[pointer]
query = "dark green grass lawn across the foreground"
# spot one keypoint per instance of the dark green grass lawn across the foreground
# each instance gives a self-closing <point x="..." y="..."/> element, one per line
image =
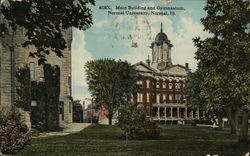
<point x="176" y="140"/>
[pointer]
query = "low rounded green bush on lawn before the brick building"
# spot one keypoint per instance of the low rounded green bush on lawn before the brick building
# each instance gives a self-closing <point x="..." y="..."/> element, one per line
<point x="135" y="124"/>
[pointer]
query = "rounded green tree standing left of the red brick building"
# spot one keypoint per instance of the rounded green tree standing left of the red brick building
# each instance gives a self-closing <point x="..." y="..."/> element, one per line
<point x="111" y="83"/>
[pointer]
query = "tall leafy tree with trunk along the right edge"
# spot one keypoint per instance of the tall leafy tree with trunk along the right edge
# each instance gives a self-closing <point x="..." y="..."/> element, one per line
<point x="224" y="58"/>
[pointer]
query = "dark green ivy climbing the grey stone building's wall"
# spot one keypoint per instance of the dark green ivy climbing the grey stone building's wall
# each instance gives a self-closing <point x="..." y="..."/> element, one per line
<point x="45" y="116"/>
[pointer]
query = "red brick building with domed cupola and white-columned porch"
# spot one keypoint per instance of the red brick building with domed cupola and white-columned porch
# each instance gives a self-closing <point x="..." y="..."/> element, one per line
<point x="163" y="95"/>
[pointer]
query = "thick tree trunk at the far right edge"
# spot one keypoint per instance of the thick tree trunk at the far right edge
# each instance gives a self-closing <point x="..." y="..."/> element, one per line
<point x="243" y="134"/>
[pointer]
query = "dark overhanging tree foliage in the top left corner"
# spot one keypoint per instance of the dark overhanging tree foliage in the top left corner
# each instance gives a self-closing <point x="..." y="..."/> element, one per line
<point x="45" y="22"/>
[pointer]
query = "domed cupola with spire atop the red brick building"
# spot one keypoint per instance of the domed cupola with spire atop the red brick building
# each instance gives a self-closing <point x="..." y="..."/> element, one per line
<point x="161" y="51"/>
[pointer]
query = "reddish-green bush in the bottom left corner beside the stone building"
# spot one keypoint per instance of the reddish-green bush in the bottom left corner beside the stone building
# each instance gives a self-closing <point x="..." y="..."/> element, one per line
<point x="11" y="138"/>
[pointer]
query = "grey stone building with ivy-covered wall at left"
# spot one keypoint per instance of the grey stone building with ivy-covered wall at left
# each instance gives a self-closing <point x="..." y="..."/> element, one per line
<point x="13" y="56"/>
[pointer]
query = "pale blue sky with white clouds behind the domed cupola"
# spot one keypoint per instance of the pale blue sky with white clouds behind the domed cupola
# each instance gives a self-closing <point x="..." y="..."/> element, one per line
<point x="113" y="36"/>
